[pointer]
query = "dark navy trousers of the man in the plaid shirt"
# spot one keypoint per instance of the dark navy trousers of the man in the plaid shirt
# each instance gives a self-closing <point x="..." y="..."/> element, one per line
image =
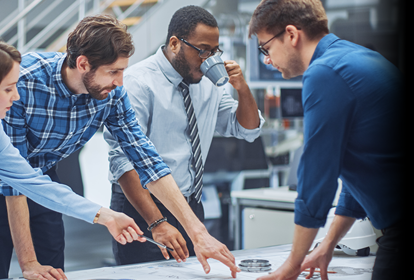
<point x="47" y="231"/>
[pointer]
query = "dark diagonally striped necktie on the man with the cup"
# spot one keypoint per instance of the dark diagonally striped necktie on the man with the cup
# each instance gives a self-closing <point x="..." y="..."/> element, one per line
<point x="195" y="141"/>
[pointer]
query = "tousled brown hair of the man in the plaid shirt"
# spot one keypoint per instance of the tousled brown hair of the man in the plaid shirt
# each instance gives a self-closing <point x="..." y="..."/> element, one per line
<point x="102" y="39"/>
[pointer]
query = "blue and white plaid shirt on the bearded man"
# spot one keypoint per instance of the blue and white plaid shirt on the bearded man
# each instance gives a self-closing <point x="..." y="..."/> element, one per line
<point x="49" y="123"/>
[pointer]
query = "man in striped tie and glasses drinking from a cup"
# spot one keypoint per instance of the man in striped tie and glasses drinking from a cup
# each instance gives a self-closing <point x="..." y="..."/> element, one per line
<point x="179" y="110"/>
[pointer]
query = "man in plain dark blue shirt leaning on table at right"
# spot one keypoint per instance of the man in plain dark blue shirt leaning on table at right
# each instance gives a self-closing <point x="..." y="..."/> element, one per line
<point x="352" y="101"/>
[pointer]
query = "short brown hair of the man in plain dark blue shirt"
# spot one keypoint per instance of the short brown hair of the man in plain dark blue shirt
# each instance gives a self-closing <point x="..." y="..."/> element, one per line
<point x="274" y="15"/>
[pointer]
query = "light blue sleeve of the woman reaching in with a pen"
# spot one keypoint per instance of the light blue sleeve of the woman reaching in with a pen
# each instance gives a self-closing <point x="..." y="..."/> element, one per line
<point x="16" y="172"/>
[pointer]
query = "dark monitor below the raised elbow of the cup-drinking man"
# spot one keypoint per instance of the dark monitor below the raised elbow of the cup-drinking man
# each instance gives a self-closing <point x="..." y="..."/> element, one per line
<point x="231" y="155"/>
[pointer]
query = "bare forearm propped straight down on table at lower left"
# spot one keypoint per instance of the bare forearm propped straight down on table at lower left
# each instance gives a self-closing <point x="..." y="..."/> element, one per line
<point x="19" y="222"/>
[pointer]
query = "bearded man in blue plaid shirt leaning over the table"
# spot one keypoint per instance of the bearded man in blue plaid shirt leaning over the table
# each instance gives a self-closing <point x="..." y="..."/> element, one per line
<point x="65" y="99"/>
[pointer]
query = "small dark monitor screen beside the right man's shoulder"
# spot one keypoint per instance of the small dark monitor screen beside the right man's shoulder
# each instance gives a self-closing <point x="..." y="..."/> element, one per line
<point x="291" y="103"/>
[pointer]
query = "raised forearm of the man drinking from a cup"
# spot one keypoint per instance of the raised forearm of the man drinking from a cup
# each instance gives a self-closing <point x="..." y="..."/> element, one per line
<point x="247" y="111"/>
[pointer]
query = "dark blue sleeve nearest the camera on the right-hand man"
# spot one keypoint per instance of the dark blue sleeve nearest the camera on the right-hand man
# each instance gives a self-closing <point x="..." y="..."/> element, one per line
<point x="328" y="112"/>
